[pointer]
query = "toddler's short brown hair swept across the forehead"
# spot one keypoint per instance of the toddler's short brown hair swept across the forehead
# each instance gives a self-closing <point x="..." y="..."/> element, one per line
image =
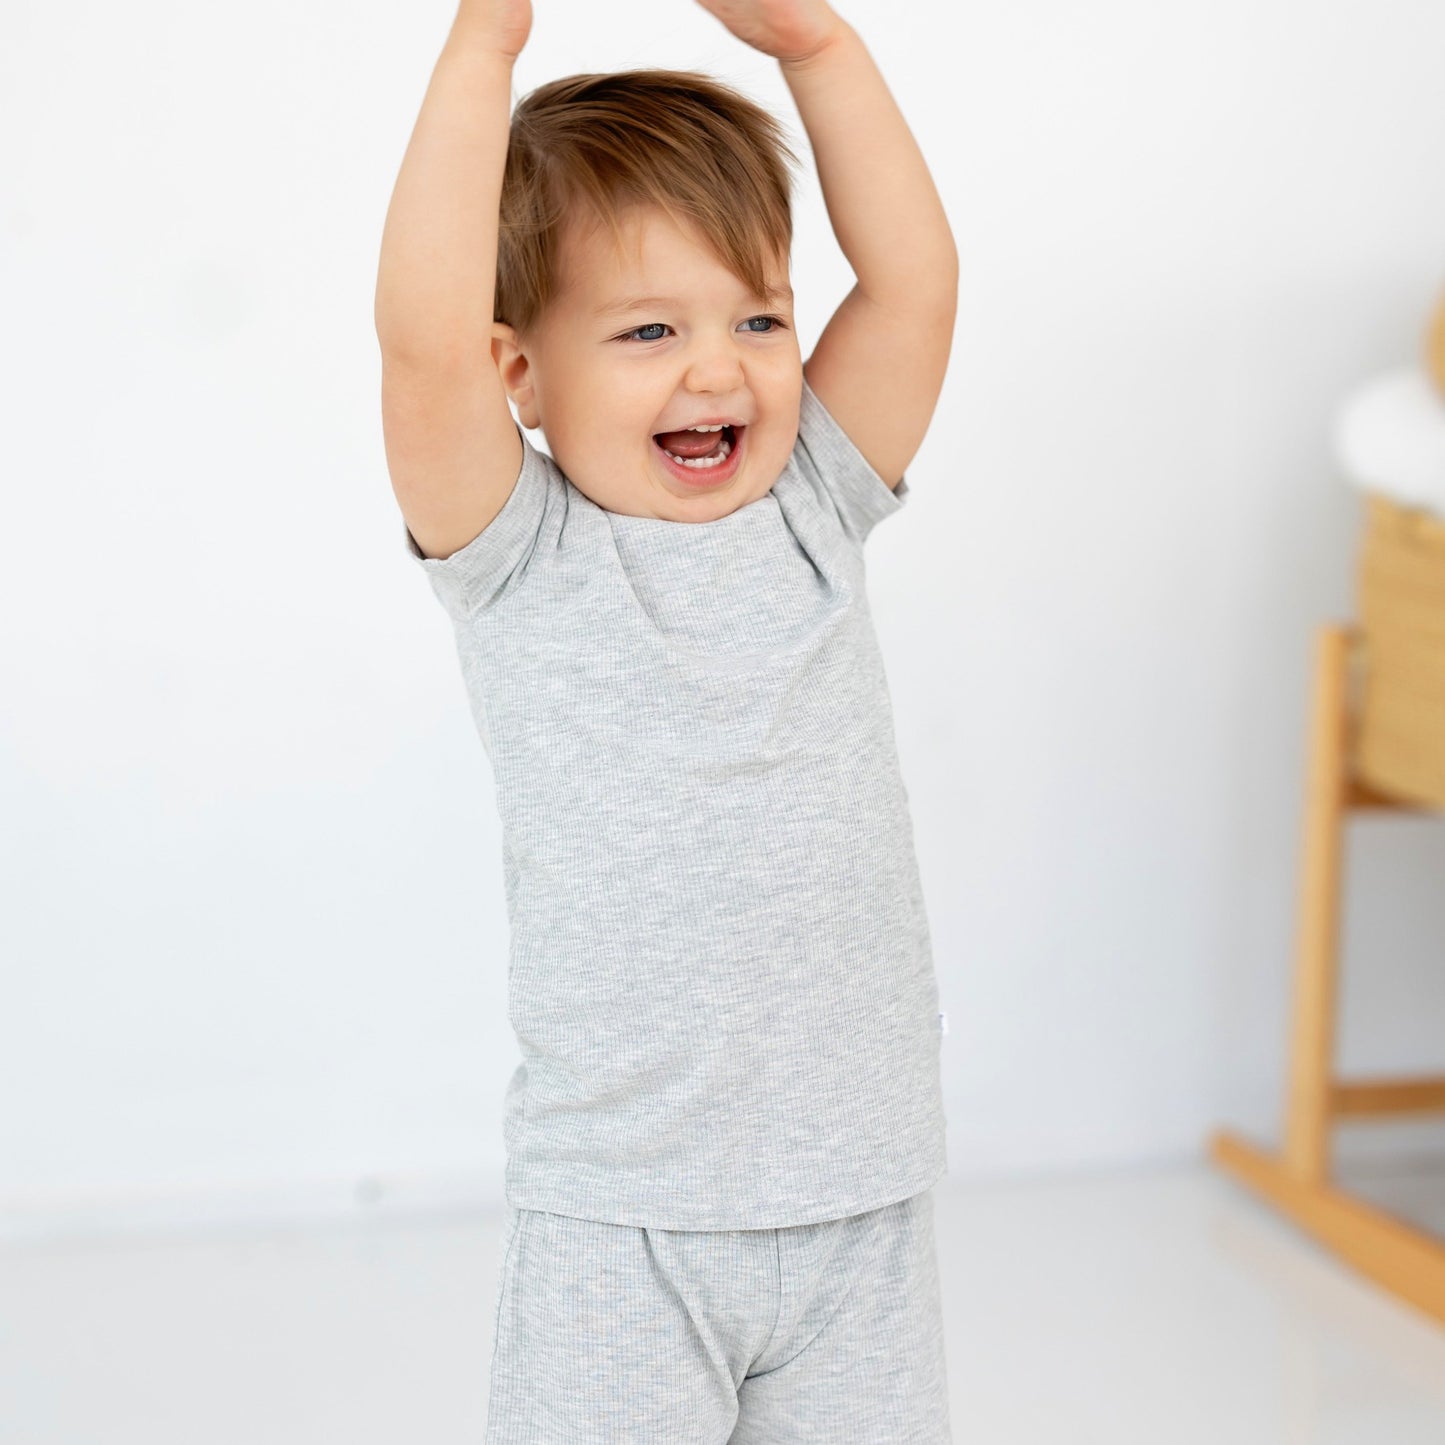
<point x="674" y="139"/>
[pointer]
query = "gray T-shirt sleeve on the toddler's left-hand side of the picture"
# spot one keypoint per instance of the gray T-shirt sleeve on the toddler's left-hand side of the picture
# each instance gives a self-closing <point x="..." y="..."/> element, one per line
<point x="496" y="563"/>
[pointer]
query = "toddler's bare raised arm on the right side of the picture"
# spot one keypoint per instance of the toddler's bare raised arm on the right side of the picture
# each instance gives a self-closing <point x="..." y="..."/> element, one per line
<point x="881" y="362"/>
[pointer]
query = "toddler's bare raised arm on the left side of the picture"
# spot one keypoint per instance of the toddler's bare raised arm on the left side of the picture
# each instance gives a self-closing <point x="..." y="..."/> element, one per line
<point x="452" y="446"/>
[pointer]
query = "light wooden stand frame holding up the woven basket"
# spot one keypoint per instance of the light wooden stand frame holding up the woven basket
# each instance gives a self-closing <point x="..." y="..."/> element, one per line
<point x="1298" y="1181"/>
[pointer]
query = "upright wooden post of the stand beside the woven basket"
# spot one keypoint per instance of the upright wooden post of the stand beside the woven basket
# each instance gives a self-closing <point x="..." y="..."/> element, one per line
<point x="1317" y="960"/>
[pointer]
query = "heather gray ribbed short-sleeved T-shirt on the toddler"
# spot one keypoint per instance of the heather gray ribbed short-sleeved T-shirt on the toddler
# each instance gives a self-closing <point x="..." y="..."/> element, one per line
<point x="720" y="967"/>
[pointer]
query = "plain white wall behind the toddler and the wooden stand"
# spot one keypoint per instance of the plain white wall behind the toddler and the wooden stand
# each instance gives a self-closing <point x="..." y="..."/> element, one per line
<point x="252" y="924"/>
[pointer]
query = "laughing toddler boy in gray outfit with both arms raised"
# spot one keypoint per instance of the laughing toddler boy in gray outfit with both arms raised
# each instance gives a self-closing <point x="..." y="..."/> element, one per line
<point x="728" y="1122"/>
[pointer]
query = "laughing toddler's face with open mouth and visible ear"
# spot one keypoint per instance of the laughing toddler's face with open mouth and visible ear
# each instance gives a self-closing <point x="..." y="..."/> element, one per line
<point x="645" y="342"/>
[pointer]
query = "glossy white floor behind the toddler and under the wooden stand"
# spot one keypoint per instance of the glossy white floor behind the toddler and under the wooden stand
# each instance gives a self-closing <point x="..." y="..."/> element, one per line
<point x="1164" y="1308"/>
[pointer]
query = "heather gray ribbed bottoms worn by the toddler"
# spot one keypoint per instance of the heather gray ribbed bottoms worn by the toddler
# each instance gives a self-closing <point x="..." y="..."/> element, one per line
<point x="616" y="1334"/>
